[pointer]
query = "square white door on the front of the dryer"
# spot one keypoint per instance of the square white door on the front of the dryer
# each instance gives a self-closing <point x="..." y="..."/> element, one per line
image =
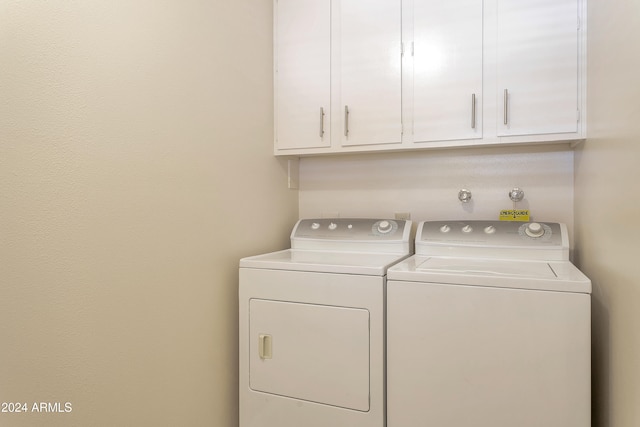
<point x="311" y="352"/>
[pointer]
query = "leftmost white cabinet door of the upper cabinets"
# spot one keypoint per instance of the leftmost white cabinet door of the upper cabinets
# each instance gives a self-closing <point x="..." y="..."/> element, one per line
<point x="302" y="73"/>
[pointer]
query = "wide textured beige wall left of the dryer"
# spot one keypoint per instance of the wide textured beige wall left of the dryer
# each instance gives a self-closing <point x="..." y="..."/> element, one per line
<point x="135" y="170"/>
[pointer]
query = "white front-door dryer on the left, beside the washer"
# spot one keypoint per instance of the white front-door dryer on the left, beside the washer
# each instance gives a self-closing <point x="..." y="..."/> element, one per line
<point x="312" y="325"/>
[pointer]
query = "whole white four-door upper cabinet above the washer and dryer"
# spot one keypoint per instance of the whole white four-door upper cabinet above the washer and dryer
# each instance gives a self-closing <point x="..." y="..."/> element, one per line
<point x="365" y="75"/>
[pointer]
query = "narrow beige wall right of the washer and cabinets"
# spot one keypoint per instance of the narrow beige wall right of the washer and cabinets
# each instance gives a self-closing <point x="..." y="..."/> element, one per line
<point x="607" y="209"/>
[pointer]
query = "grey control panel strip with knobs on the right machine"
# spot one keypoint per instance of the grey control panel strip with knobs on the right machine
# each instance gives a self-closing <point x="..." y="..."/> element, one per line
<point x="491" y="233"/>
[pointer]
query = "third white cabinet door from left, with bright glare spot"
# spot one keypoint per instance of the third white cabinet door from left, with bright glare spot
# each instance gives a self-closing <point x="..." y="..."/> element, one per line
<point x="447" y="67"/>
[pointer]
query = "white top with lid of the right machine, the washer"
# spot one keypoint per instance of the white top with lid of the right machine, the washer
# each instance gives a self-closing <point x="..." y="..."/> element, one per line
<point x="561" y="276"/>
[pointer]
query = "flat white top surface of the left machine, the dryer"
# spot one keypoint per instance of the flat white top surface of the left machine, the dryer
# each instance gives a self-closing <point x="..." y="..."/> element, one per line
<point x="370" y="264"/>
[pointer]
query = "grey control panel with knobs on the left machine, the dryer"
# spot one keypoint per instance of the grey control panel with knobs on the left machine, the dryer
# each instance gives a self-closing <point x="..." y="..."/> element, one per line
<point x="350" y="229"/>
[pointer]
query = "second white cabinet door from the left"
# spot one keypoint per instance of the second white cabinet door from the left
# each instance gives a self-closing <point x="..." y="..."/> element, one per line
<point x="370" y="72"/>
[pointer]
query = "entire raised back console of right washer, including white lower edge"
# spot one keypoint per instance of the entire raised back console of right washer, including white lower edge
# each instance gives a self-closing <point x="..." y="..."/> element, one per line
<point x="493" y="239"/>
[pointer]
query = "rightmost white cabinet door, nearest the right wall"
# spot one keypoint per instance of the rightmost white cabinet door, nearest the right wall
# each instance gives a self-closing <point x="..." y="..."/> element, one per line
<point x="537" y="64"/>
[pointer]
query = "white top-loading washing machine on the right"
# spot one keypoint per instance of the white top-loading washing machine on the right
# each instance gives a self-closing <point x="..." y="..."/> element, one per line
<point x="488" y="325"/>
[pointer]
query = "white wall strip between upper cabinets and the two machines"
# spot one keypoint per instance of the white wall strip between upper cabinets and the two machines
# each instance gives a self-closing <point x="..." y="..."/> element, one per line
<point x="426" y="183"/>
